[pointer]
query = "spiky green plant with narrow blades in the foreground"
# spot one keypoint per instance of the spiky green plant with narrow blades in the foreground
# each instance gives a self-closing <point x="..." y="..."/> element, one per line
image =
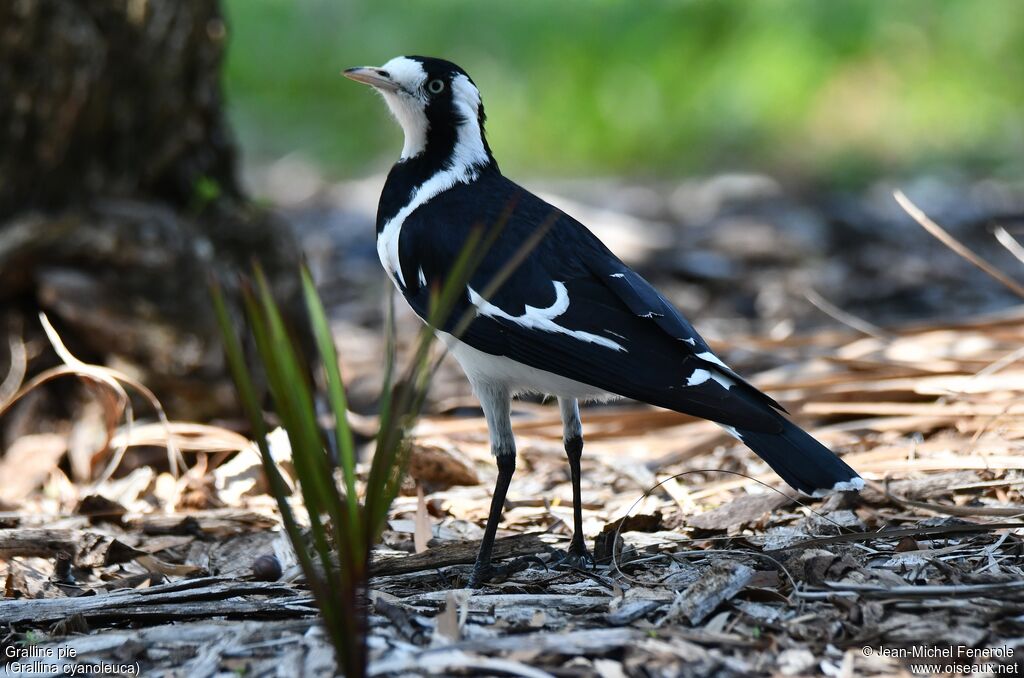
<point x="343" y="529"/>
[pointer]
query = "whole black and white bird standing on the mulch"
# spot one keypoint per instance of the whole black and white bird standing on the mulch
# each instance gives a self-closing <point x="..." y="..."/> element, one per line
<point x="571" y="320"/>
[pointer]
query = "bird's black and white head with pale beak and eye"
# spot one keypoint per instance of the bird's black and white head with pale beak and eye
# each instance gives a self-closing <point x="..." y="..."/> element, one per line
<point x="438" y="106"/>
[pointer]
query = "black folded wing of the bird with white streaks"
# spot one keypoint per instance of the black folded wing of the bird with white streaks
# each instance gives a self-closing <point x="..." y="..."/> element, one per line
<point x="571" y="308"/>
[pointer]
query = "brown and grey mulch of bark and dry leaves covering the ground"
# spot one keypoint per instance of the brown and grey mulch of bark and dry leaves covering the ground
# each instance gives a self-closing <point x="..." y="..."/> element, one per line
<point x="701" y="570"/>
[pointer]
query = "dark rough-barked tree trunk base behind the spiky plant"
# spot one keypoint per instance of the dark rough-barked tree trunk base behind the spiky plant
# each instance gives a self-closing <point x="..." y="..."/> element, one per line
<point x="118" y="187"/>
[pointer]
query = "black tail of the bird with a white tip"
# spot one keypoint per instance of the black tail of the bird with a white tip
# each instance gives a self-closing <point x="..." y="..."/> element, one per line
<point x="803" y="462"/>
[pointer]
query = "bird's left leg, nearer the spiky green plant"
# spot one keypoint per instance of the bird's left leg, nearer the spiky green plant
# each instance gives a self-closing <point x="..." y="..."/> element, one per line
<point x="497" y="407"/>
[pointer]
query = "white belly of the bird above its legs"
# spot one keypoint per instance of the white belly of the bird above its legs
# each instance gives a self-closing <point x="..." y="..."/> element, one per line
<point x="497" y="371"/>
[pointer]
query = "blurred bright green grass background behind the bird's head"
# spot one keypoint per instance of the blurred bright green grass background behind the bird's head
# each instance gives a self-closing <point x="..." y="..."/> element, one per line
<point x="835" y="91"/>
